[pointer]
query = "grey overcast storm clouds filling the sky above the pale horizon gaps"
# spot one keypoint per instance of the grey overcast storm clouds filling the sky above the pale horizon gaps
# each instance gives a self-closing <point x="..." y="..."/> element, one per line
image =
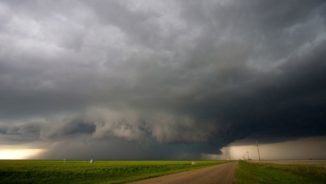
<point x="172" y="79"/>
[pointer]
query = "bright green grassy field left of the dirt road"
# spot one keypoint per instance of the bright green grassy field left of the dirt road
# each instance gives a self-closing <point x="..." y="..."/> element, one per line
<point x="28" y="171"/>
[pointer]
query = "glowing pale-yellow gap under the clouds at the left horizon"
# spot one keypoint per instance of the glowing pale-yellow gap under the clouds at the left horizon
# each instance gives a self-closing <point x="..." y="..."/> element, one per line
<point x="13" y="154"/>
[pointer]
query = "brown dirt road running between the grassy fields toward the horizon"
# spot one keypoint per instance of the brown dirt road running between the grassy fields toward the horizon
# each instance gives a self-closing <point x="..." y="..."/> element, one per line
<point x="219" y="174"/>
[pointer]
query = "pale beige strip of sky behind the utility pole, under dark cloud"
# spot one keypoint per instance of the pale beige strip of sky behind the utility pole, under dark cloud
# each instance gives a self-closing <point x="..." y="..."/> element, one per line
<point x="297" y="149"/>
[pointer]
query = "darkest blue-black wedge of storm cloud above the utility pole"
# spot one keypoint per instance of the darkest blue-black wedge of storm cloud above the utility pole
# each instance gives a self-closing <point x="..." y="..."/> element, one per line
<point x="290" y="103"/>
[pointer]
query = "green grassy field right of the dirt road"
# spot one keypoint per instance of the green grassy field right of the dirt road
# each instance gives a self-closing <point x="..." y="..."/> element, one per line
<point x="268" y="173"/>
